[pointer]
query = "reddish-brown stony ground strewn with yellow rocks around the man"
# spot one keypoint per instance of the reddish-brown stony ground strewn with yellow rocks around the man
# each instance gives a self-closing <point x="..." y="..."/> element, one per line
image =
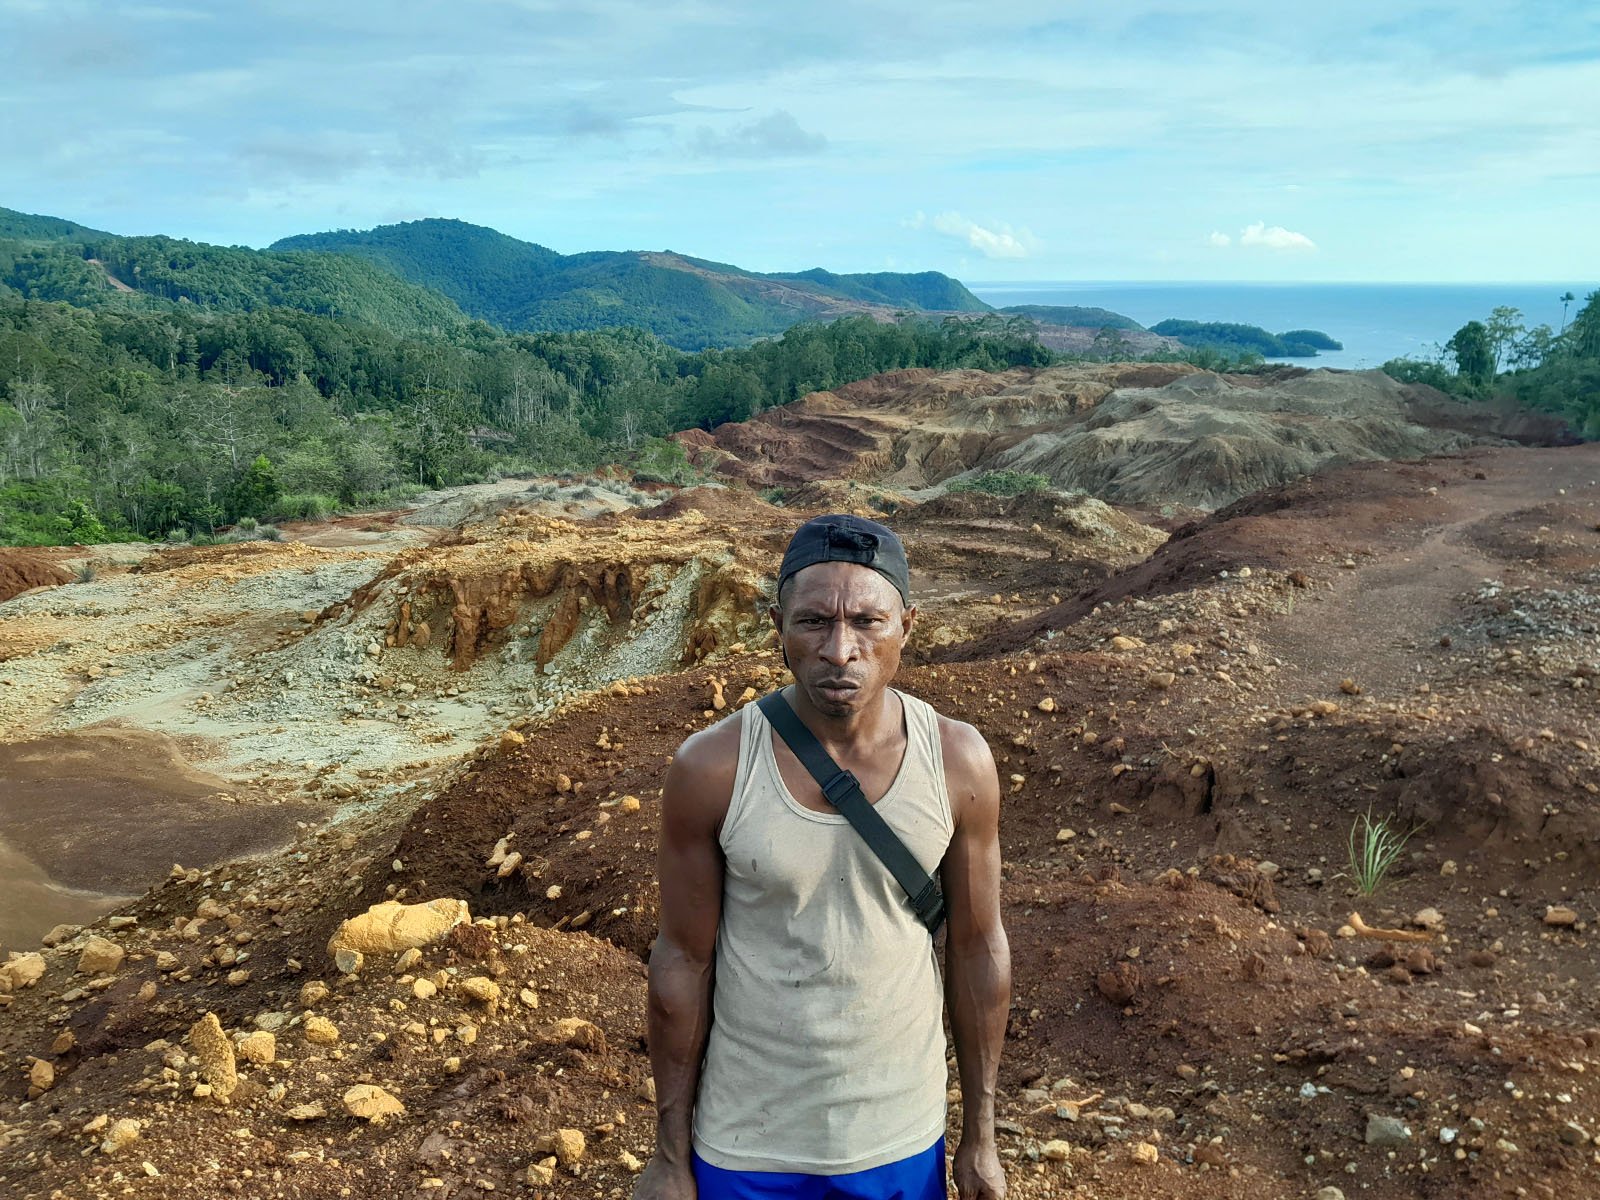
<point x="1186" y="732"/>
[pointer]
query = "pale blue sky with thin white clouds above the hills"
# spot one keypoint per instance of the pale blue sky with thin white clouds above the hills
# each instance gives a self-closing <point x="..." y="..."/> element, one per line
<point x="994" y="142"/>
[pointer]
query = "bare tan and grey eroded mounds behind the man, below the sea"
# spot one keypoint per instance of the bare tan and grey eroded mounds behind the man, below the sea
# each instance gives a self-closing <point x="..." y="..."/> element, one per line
<point x="1126" y="433"/>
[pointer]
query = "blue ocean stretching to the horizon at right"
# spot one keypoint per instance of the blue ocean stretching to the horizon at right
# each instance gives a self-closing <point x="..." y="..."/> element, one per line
<point x="1377" y="322"/>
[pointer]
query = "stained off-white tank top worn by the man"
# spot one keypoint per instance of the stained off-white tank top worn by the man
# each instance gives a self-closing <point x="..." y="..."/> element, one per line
<point x="826" y="1050"/>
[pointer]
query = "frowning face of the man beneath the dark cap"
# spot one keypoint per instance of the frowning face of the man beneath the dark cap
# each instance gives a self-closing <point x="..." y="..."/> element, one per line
<point x="842" y="626"/>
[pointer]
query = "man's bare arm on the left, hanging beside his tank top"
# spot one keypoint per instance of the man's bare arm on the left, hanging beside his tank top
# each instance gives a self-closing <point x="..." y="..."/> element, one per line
<point x="690" y="870"/>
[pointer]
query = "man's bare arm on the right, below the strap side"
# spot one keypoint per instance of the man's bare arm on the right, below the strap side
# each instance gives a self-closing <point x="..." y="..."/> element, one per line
<point x="977" y="954"/>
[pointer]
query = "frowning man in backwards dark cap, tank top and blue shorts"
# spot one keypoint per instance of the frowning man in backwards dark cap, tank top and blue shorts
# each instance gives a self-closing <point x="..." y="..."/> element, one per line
<point x="796" y="1023"/>
